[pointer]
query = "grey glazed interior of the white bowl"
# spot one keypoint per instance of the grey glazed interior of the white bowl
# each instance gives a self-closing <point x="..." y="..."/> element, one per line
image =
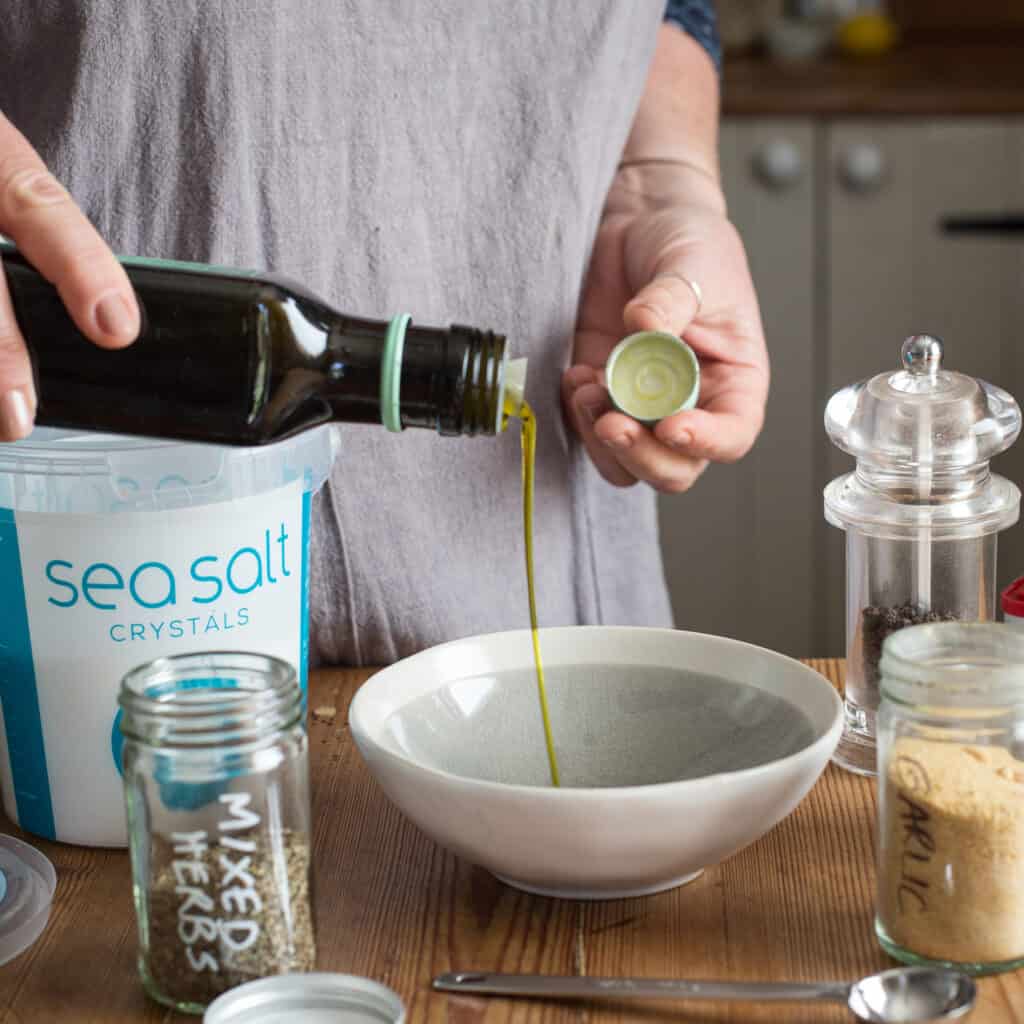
<point x="614" y="726"/>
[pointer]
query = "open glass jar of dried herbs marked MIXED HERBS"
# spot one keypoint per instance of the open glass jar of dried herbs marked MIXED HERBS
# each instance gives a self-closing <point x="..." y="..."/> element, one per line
<point x="216" y="765"/>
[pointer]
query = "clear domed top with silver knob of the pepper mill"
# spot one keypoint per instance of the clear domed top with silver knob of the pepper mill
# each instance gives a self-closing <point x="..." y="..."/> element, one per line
<point x="923" y="416"/>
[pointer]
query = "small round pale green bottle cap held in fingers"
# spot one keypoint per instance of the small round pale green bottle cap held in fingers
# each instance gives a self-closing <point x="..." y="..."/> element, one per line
<point x="653" y="375"/>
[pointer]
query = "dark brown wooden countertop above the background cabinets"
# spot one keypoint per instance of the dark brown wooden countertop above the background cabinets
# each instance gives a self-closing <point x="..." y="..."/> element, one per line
<point x="932" y="79"/>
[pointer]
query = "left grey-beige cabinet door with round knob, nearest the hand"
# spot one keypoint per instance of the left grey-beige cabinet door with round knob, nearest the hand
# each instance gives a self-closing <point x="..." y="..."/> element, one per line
<point x="739" y="551"/>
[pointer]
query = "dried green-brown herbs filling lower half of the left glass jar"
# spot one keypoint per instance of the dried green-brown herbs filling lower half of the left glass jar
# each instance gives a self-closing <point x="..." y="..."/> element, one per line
<point x="229" y="907"/>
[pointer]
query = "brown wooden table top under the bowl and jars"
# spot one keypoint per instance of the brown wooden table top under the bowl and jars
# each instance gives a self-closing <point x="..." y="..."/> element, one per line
<point x="393" y="906"/>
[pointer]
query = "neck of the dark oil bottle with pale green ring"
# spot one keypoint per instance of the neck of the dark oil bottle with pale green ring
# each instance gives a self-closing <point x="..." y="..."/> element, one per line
<point x="402" y="375"/>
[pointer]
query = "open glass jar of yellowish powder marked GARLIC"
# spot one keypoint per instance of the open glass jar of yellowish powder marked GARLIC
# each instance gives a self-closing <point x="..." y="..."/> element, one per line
<point x="952" y="797"/>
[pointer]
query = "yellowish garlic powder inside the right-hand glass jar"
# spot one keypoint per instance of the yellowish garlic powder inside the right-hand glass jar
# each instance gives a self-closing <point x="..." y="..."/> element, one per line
<point x="953" y="866"/>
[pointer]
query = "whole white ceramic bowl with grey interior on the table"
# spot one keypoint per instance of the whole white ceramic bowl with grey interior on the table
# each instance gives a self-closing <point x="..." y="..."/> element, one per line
<point x="677" y="750"/>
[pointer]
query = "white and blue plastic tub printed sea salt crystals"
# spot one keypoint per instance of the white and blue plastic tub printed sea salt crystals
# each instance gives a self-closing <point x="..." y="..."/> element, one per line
<point x="115" y="551"/>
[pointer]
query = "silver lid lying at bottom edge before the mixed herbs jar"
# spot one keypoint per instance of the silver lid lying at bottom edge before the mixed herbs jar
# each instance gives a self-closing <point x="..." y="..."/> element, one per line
<point x="310" y="999"/>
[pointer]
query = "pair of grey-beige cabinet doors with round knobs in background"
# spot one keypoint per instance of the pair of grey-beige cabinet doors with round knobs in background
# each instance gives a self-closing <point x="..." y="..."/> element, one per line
<point x="842" y="224"/>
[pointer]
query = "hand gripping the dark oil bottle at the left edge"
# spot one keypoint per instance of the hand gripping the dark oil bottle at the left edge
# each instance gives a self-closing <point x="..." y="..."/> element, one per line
<point x="40" y="218"/>
